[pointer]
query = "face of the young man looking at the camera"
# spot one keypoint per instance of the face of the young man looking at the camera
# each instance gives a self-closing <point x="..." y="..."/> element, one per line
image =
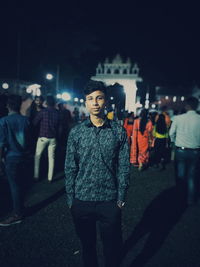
<point x="95" y="103"/>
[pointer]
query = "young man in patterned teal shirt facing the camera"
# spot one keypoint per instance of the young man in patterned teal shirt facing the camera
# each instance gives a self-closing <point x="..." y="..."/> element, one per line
<point x="97" y="176"/>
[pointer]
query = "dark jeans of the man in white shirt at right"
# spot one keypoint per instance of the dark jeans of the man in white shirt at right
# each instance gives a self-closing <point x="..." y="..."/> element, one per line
<point x="187" y="181"/>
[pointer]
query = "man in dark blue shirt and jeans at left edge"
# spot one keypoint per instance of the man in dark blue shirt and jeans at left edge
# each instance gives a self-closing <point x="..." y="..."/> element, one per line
<point x="14" y="145"/>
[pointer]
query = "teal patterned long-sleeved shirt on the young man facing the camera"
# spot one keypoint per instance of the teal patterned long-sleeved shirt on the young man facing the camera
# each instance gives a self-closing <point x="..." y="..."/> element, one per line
<point x="97" y="164"/>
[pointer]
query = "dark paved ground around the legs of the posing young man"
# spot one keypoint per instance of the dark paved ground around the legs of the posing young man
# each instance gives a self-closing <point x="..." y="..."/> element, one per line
<point x="157" y="234"/>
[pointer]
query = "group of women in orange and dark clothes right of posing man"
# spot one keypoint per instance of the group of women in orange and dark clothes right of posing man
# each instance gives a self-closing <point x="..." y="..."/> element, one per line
<point x="148" y="136"/>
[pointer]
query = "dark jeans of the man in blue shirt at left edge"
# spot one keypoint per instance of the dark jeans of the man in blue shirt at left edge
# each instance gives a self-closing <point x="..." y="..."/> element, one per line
<point x="16" y="170"/>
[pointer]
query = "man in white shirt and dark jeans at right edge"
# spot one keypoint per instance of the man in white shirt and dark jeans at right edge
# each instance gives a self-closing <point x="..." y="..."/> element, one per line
<point x="185" y="133"/>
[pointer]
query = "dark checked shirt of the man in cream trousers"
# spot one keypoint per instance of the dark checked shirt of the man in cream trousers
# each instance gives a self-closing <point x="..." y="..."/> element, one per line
<point x="49" y="122"/>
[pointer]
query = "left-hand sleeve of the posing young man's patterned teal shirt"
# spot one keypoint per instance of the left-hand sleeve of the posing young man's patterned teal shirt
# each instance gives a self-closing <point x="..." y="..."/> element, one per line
<point x="71" y="167"/>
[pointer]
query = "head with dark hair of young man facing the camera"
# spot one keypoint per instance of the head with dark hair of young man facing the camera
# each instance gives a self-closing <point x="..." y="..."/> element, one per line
<point x="95" y="97"/>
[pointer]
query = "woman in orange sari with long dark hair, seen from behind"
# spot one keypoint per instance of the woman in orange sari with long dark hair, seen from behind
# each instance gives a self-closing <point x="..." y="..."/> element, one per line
<point x="141" y="140"/>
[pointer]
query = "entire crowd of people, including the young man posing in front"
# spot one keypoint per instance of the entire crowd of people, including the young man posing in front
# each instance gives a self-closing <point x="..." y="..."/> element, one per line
<point x="96" y="155"/>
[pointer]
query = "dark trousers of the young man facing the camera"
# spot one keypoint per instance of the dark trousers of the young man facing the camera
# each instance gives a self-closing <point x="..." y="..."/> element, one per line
<point x="86" y="214"/>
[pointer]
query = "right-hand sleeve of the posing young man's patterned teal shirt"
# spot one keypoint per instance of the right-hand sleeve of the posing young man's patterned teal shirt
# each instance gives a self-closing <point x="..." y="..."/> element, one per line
<point x="123" y="174"/>
